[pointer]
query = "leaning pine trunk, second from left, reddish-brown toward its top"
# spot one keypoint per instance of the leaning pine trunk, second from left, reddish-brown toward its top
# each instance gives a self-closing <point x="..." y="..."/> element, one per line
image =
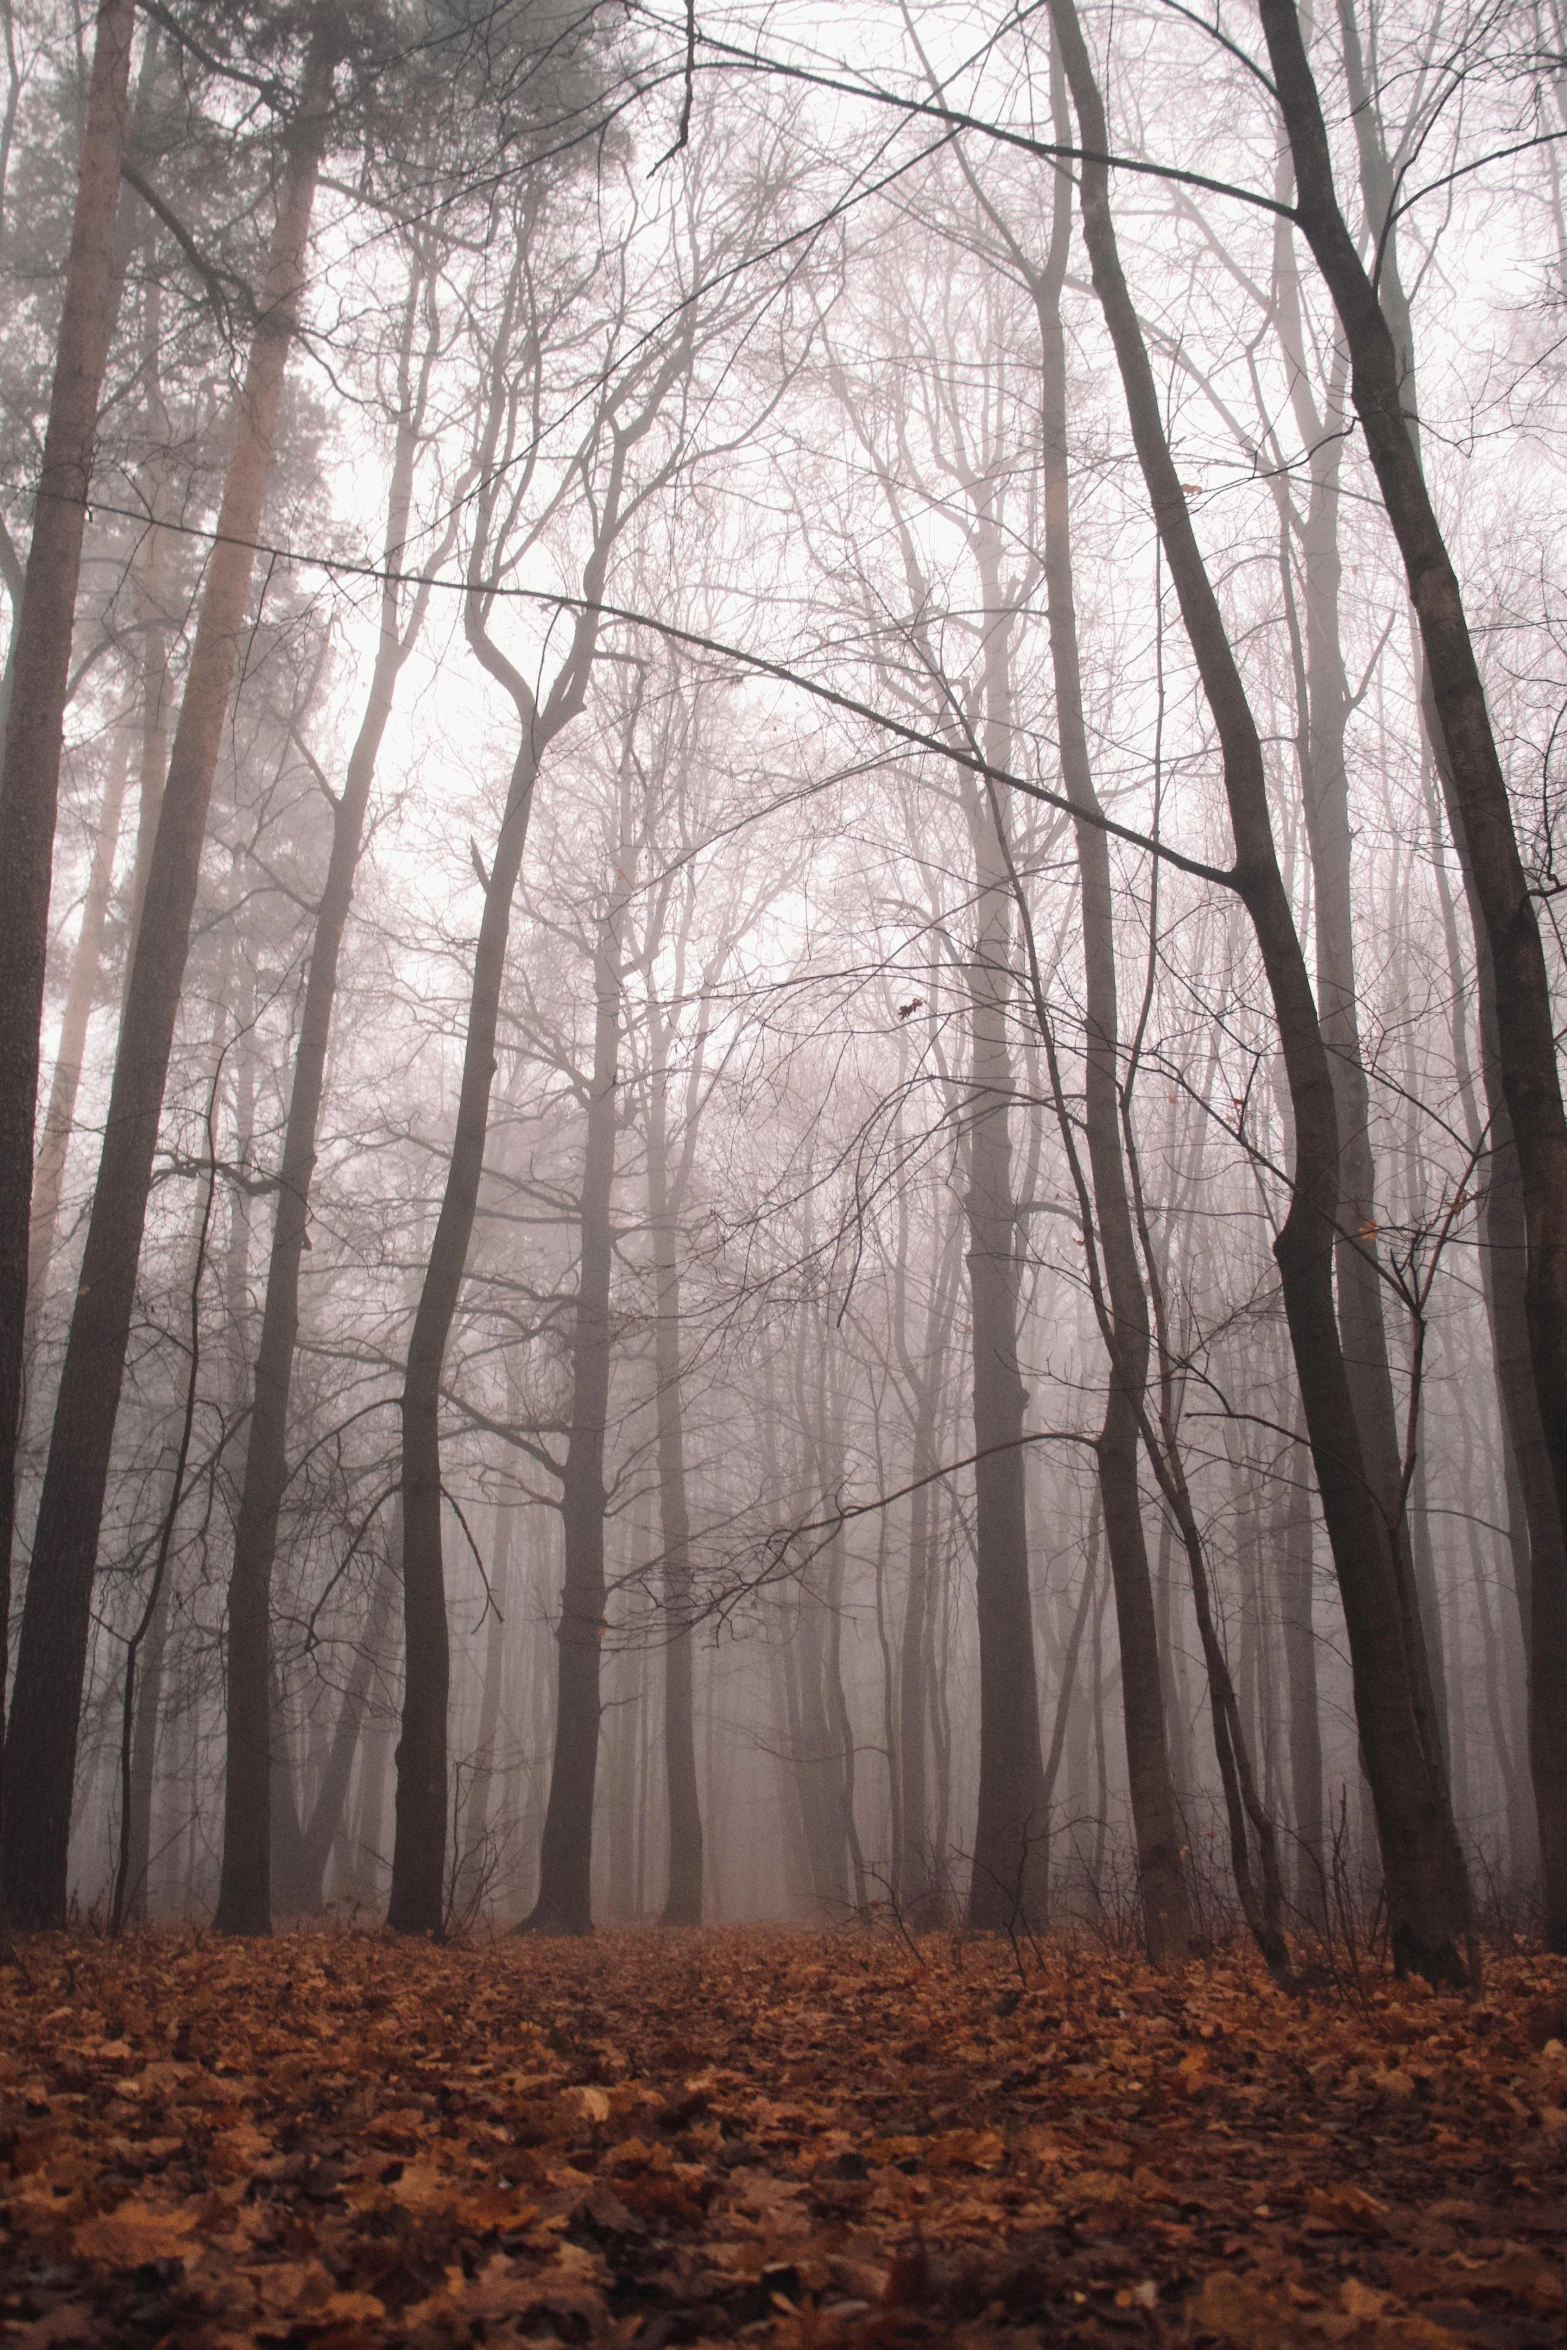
<point x="43" y="1738"/>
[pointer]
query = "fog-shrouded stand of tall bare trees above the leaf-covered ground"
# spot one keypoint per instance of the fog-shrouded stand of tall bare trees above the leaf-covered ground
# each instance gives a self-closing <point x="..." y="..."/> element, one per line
<point x="779" y="1120"/>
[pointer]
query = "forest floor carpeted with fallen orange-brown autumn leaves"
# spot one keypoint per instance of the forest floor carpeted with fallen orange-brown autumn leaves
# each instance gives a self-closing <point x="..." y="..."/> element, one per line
<point x="774" y="2137"/>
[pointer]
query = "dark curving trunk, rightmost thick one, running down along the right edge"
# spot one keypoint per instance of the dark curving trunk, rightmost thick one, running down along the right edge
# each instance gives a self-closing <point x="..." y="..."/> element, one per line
<point x="1500" y="887"/>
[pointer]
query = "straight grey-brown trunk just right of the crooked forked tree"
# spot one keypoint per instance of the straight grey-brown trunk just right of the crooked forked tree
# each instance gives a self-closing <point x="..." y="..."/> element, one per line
<point x="565" y="1865"/>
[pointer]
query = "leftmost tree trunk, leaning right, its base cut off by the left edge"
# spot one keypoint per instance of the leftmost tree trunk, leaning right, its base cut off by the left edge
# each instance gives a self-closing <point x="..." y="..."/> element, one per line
<point x="39" y="676"/>
